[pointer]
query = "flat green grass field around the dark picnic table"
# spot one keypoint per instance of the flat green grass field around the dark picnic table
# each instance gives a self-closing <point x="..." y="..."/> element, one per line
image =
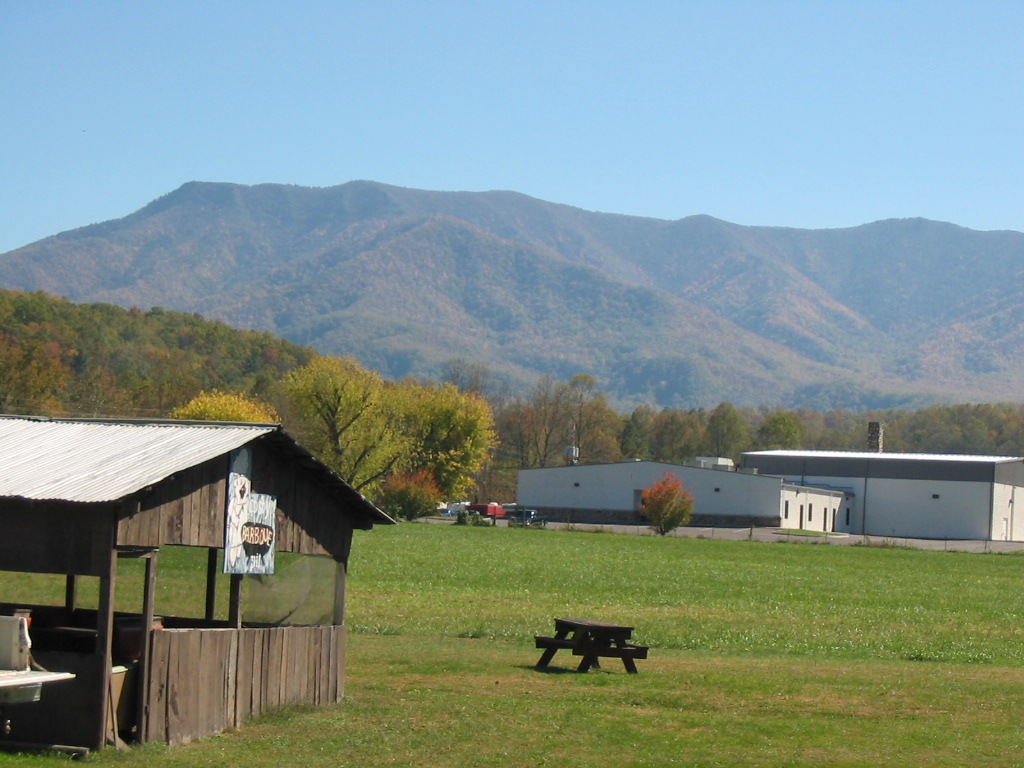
<point x="762" y="655"/>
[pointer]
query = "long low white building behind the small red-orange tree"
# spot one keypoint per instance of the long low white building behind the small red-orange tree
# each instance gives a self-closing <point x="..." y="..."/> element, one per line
<point x="722" y="496"/>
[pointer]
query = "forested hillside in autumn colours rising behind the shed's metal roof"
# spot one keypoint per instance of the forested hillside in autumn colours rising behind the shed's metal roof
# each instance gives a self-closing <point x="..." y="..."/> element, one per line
<point x="99" y="360"/>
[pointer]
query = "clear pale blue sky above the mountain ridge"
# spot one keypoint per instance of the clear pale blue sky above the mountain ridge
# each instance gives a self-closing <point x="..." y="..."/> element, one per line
<point x="794" y="114"/>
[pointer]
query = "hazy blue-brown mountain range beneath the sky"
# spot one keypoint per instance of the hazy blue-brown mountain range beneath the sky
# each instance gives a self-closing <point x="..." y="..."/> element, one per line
<point x="688" y="313"/>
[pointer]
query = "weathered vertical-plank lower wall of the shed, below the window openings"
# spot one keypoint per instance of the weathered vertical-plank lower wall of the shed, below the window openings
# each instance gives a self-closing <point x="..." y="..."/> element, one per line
<point x="206" y="681"/>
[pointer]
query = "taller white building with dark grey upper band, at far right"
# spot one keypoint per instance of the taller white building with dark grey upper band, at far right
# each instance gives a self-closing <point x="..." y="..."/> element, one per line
<point x="921" y="496"/>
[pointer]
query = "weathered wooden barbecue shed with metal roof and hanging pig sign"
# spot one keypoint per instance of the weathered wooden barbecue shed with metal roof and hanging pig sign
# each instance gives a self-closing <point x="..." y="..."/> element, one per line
<point x="77" y="495"/>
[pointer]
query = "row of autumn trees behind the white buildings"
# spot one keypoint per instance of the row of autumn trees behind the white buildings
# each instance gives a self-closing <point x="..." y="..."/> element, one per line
<point x="572" y="421"/>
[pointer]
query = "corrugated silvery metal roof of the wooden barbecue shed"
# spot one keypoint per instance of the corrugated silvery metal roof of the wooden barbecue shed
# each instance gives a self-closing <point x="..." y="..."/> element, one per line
<point x="101" y="461"/>
